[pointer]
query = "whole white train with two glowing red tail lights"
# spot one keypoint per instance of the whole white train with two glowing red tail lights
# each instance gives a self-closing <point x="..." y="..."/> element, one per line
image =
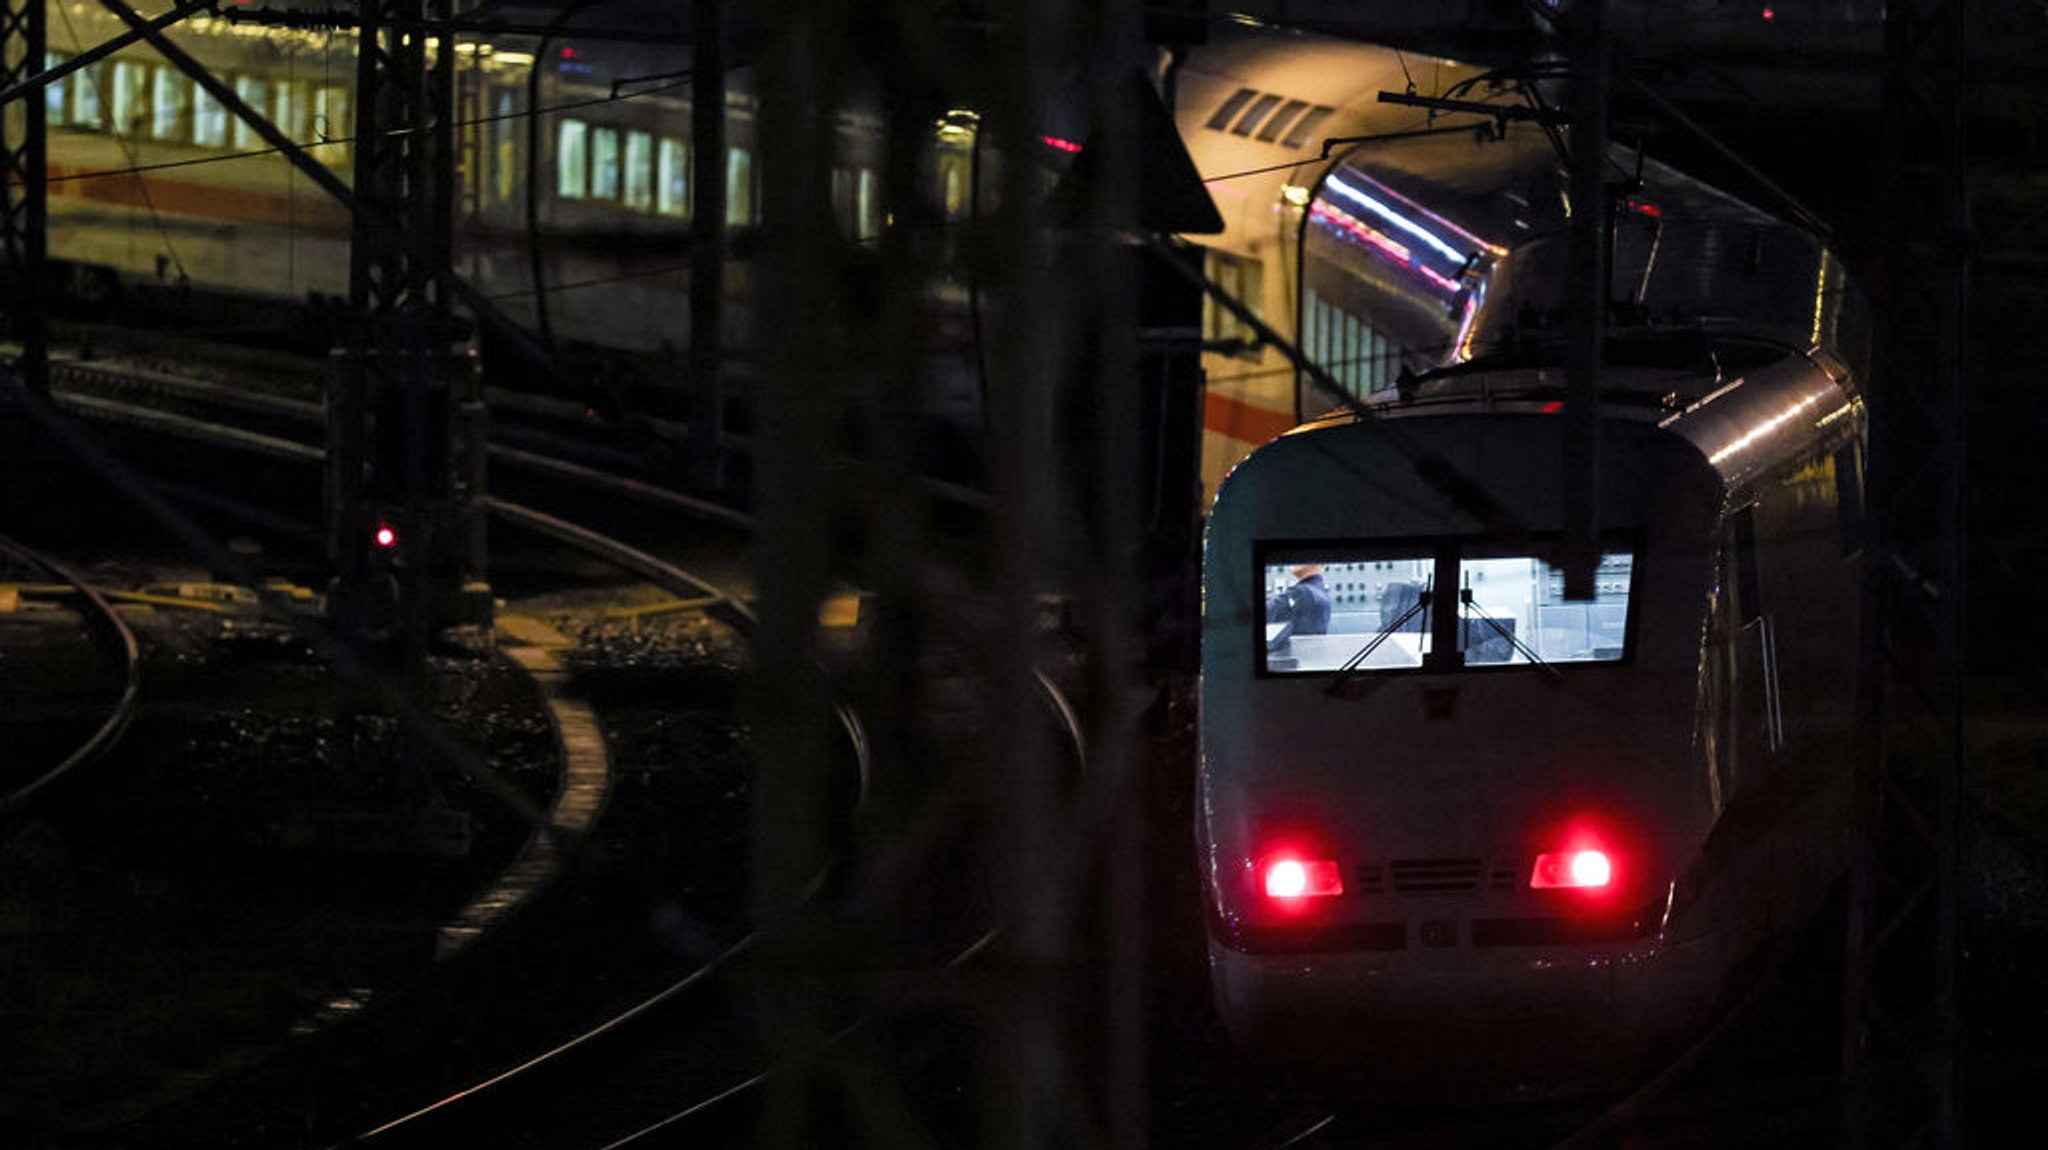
<point x="1463" y="836"/>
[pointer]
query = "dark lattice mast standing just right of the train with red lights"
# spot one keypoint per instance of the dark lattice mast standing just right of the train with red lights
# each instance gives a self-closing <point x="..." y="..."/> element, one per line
<point x="1902" y="1032"/>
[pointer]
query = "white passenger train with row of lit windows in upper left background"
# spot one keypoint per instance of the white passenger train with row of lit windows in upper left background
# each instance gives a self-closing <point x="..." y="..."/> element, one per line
<point x="155" y="181"/>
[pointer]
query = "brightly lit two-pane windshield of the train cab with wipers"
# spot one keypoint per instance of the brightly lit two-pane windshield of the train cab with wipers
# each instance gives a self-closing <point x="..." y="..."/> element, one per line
<point x="1342" y="609"/>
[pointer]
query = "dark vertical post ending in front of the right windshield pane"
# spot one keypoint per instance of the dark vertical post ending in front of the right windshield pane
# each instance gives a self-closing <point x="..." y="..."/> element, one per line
<point x="1588" y="50"/>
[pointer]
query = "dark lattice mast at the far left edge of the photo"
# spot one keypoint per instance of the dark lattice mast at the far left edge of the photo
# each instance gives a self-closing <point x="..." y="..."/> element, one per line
<point x="26" y="193"/>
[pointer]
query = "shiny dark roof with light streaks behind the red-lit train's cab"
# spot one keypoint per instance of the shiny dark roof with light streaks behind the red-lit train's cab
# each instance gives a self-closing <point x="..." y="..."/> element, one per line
<point x="1457" y="249"/>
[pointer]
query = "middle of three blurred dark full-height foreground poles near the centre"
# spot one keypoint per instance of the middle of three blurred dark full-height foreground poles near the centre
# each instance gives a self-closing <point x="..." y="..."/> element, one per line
<point x="1025" y="1102"/>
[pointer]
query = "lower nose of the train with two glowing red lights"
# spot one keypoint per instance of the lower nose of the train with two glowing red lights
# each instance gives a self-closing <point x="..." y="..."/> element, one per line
<point x="1459" y="948"/>
